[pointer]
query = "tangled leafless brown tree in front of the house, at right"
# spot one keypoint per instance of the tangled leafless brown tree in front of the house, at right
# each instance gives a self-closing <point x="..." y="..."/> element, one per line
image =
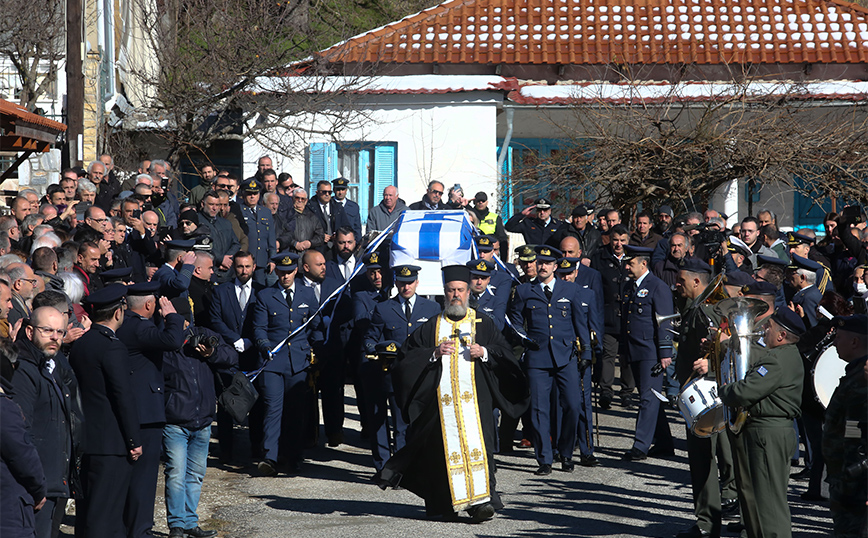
<point x="675" y="149"/>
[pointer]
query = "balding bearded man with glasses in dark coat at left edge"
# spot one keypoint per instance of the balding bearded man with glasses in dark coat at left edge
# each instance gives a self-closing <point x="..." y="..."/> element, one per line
<point x="45" y="400"/>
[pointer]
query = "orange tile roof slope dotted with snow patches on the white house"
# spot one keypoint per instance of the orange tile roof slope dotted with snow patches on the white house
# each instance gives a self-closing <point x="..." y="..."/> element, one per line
<point x="618" y="31"/>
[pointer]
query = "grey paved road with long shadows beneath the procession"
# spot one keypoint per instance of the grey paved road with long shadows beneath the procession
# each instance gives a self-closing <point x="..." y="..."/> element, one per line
<point x="334" y="497"/>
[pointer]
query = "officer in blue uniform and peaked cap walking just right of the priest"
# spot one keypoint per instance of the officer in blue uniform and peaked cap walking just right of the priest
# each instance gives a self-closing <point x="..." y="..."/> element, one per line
<point x="558" y="327"/>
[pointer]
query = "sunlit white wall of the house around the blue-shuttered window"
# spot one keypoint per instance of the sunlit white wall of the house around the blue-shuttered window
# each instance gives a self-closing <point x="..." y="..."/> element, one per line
<point x="449" y="138"/>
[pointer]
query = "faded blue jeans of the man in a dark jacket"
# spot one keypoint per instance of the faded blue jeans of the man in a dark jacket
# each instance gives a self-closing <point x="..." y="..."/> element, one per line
<point x="186" y="461"/>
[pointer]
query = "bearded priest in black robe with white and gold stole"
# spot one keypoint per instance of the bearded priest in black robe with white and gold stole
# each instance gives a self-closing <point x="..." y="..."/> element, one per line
<point x="450" y="466"/>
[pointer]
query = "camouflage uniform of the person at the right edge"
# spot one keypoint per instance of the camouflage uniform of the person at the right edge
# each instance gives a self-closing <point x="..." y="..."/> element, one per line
<point x="845" y="438"/>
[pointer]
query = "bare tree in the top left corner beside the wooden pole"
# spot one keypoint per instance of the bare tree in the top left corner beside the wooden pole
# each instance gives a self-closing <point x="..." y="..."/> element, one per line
<point x="32" y="38"/>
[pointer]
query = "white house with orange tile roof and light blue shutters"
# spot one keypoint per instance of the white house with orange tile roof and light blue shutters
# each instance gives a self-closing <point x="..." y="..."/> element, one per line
<point x="459" y="91"/>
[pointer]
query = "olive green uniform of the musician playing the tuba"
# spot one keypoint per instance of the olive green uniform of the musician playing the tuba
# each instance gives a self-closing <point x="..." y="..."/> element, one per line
<point x="771" y="392"/>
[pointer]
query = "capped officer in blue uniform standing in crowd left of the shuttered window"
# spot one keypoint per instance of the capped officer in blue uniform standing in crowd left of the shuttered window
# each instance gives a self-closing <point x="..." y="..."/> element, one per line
<point x="260" y="232"/>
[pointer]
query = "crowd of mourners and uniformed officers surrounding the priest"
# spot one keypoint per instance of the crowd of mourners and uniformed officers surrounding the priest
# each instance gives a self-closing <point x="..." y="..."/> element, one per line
<point x="129" y="303"/>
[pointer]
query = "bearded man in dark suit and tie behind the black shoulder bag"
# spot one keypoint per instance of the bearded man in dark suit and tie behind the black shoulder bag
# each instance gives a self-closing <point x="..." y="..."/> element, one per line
<point x="231" y="317"/>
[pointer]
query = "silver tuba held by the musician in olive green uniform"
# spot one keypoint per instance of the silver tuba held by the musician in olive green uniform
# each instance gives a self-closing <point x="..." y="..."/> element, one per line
<point x="733" y="365"/>
